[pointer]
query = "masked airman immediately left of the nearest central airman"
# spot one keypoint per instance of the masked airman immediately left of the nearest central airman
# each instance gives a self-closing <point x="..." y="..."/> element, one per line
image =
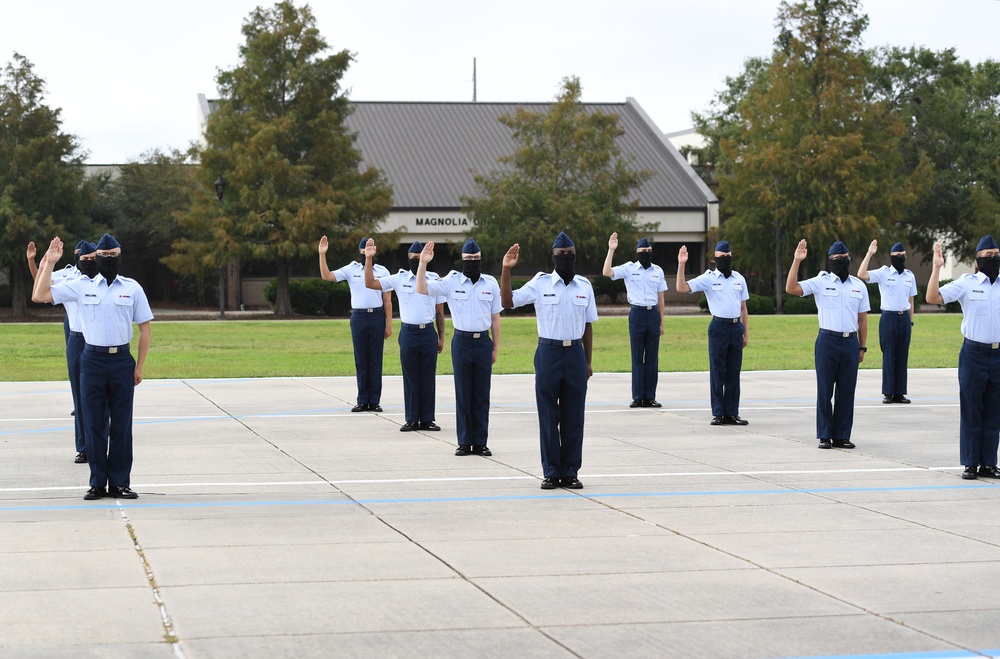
<point x="474" y="301"/>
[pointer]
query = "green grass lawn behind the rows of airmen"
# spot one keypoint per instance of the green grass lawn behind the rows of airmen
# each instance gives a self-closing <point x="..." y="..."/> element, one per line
<point x="231" y="349"/>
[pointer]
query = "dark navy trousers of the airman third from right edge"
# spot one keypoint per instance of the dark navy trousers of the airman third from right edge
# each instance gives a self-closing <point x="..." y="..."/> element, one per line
<point x="837" y="360"/>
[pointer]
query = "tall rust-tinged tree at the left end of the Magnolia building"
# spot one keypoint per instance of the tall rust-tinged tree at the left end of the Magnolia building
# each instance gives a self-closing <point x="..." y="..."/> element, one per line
<point x="278" y="138"/>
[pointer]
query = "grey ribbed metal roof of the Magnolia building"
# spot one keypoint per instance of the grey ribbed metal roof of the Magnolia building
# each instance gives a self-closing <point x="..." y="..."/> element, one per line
<point x="428" y="149"/>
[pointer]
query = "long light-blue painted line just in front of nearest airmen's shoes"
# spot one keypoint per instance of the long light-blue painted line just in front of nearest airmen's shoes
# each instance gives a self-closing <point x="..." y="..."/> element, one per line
<point x="522" y="497"/>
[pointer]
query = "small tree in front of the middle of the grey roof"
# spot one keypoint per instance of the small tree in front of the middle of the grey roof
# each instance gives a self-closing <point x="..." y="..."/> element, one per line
<point x="567" y="173"/>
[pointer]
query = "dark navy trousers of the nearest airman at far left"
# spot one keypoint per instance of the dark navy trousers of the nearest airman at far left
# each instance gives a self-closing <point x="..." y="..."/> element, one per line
<point x="107" y="387"/>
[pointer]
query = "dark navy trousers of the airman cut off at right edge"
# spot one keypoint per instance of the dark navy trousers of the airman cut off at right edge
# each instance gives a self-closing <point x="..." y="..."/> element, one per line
<point x="979" y="400"/>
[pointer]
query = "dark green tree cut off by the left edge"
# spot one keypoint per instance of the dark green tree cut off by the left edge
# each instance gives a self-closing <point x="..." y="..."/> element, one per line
<point x="42" y="192"/>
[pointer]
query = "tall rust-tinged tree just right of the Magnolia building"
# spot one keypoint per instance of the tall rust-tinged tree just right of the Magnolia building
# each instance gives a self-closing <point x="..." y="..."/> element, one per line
<point x="807" y="153"/>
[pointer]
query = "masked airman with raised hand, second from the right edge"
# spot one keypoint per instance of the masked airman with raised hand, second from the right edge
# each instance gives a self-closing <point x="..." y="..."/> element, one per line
<point x="897" y="288"/>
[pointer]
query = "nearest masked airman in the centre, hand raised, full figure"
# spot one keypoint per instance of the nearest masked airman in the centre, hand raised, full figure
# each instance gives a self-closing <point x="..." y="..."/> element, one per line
<point x="564" y="310"/>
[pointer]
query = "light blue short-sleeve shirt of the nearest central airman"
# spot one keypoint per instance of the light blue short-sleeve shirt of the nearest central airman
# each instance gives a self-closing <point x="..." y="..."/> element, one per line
<point x="562" y="312"/>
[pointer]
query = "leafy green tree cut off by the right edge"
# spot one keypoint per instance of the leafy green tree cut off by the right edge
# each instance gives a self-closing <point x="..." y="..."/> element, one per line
<point x="951" y="110"/>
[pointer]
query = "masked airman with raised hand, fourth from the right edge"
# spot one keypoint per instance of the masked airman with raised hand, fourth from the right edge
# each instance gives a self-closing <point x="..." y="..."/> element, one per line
<point x="728" y="331"/>
